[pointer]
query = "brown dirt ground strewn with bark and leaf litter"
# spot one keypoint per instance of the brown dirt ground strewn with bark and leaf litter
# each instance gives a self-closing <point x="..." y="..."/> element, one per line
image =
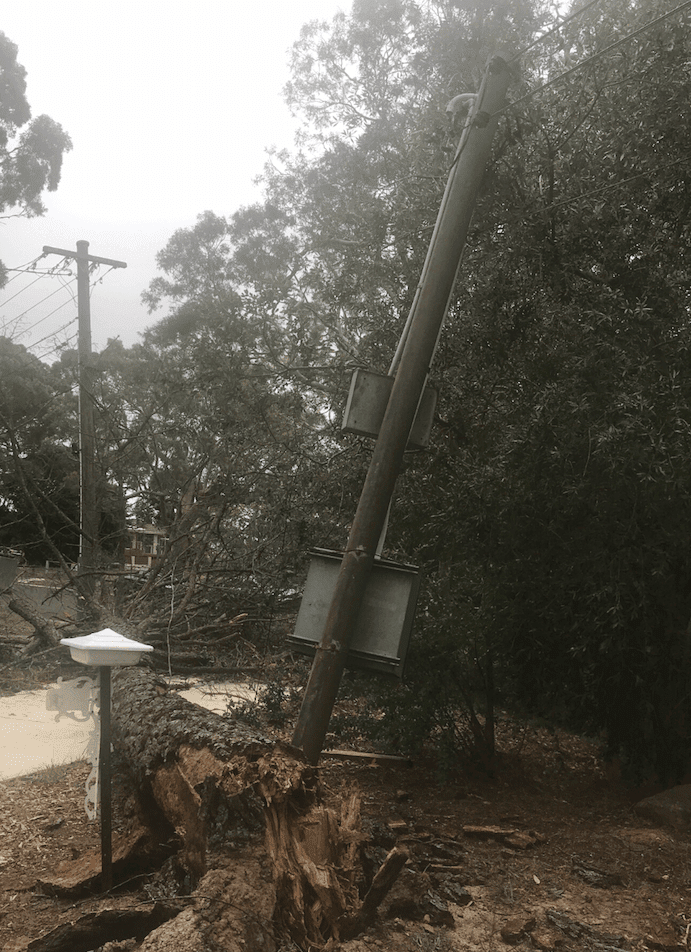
<point x="547" y="855"/>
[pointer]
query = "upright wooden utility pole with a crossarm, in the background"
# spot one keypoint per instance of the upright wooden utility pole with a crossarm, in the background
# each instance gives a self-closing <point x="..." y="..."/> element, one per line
<point x="88" y="518"/>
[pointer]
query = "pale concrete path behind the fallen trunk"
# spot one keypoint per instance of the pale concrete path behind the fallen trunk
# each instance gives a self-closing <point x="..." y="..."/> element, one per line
<point x="31" y="739"/>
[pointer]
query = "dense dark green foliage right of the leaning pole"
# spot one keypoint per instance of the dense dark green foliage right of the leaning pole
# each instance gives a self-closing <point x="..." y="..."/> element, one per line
<point x="564" y="403"/>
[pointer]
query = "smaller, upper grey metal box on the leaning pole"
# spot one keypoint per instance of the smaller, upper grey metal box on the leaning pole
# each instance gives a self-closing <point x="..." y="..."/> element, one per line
<point x="367" y="401"/>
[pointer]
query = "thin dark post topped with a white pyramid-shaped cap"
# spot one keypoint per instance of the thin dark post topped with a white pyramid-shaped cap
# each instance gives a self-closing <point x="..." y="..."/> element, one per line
<point x="105" y="650"/>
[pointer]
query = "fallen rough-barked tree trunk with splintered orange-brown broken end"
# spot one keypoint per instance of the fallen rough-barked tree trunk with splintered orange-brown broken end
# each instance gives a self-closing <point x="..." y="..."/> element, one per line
<point x="217" y="781"/>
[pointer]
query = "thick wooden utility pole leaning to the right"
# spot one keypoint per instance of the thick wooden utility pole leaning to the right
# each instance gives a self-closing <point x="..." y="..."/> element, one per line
<point x="422" y="332"/>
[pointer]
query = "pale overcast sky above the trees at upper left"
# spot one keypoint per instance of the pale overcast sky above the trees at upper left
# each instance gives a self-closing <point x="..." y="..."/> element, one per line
<point x="171" y="105"/>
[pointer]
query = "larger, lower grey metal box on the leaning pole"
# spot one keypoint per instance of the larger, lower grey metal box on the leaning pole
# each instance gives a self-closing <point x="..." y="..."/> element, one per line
<point x="386" y="617"/>
